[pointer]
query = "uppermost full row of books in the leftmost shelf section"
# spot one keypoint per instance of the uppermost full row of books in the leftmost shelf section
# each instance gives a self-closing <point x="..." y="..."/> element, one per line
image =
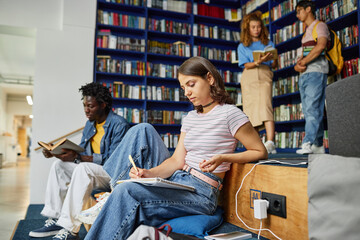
<point x="121" y="20"/>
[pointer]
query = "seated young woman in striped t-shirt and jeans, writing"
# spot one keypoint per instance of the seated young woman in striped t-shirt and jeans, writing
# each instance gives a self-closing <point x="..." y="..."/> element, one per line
<point x="203" y="155"/>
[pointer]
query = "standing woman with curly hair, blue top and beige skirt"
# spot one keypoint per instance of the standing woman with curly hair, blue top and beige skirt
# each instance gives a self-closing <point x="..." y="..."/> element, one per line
<point x="256" y="80"/>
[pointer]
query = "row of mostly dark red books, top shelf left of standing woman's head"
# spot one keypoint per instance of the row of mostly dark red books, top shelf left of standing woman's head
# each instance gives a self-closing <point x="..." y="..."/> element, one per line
<point x="230" y="14"/>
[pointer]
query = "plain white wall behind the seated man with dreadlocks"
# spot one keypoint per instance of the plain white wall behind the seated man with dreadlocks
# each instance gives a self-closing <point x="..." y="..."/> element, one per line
<point x="64" y="62"/>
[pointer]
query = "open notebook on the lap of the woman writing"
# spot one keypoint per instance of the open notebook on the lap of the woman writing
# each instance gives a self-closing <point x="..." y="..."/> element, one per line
<point x="159" y="182"/>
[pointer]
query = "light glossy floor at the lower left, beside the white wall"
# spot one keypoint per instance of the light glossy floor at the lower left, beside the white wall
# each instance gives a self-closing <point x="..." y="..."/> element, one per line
<point x="14" y="195"/>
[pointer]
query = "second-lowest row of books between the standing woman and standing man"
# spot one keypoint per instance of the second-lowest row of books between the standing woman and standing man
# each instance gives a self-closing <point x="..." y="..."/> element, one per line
<point x="288" y="112"/>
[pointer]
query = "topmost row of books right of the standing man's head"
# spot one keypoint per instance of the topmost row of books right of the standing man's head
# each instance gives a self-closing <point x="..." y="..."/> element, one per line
<point x="335" y="9"/>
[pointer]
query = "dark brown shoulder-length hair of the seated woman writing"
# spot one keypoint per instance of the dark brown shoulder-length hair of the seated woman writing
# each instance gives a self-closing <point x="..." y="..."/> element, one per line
<point x="199" y="66"/>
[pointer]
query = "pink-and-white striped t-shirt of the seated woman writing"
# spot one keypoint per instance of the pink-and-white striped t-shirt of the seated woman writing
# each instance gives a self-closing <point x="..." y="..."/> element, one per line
<point x="212" y="133"/>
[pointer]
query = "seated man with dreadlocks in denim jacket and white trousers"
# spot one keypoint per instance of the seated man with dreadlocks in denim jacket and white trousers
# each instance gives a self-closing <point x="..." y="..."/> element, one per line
<point x="72" y="175"/>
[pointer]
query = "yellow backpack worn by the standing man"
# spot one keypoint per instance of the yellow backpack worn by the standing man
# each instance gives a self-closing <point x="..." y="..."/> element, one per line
<point x="332" y="52"/>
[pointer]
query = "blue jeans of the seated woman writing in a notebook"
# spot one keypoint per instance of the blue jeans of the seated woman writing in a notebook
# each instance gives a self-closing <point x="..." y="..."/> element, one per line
<point x="132" y="204"/>
